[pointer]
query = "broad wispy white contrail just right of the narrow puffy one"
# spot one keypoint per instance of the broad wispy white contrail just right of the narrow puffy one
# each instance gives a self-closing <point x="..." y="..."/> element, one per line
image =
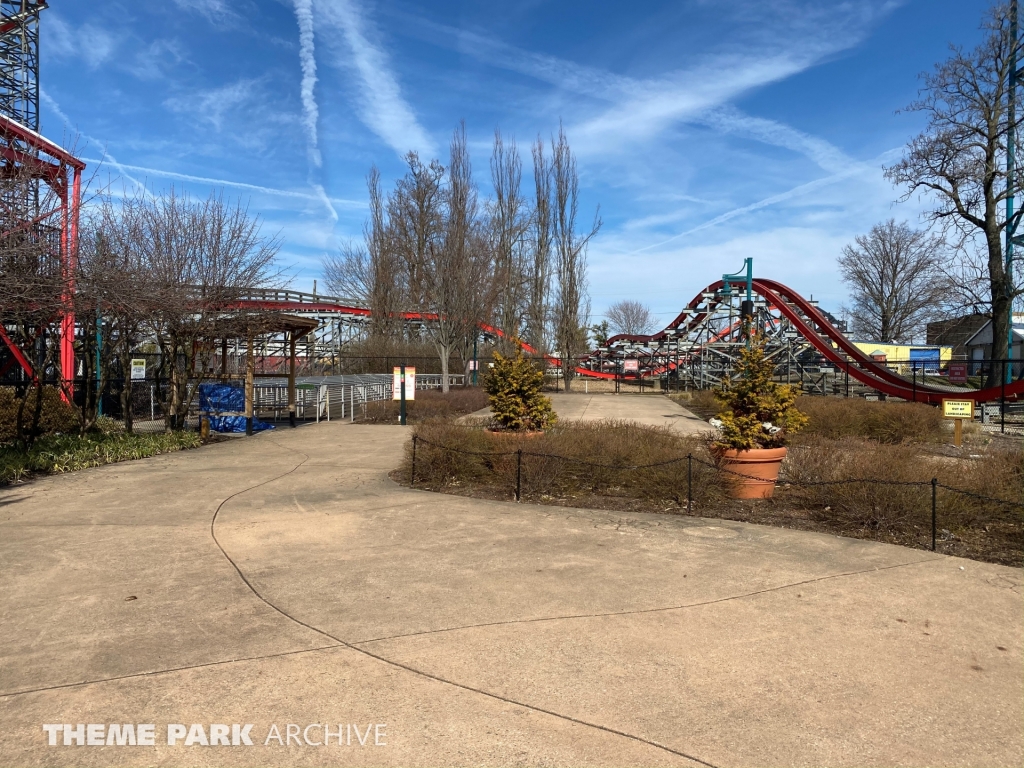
<point x="382" y="107"/>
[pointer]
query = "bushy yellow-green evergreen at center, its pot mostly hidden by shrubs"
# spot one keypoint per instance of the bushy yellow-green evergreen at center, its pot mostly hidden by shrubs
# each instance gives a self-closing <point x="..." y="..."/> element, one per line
<point x="515" y="389"/>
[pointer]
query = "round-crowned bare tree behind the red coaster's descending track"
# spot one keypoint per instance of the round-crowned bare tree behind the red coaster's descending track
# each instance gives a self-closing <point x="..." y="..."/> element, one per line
<point x="895" y="282"/>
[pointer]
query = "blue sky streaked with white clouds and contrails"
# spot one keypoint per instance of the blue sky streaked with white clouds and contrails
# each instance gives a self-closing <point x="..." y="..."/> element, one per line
<point x="707" y="132"/>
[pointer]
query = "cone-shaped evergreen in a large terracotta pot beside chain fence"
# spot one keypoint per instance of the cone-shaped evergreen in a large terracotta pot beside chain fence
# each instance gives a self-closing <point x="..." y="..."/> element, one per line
<point x="754" y="431"/>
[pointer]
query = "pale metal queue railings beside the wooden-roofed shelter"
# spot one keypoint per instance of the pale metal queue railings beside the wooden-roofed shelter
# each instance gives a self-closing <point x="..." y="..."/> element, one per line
<point x="336" y="397"/>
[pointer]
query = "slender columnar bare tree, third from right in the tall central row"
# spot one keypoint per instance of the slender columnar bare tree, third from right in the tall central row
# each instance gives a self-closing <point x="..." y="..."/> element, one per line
<point x="509" y="224"/>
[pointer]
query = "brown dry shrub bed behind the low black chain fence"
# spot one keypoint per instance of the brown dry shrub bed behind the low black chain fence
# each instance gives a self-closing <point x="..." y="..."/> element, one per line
<point x="882" y="510"/>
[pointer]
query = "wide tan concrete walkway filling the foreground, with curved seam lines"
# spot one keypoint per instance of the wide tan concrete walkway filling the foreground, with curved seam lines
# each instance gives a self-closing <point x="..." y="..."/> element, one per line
<point x="286" y="580"/>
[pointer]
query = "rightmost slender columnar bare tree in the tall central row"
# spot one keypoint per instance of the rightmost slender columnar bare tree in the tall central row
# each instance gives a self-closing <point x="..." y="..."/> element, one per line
<point x="572" y="306"/>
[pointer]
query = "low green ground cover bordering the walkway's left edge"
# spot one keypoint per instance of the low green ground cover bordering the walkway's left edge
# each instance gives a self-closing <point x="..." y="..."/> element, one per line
<point x="58" y="454"/>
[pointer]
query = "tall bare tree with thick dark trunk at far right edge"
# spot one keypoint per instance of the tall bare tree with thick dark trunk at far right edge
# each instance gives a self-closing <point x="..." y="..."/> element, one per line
<point x="959" y="163"/>
